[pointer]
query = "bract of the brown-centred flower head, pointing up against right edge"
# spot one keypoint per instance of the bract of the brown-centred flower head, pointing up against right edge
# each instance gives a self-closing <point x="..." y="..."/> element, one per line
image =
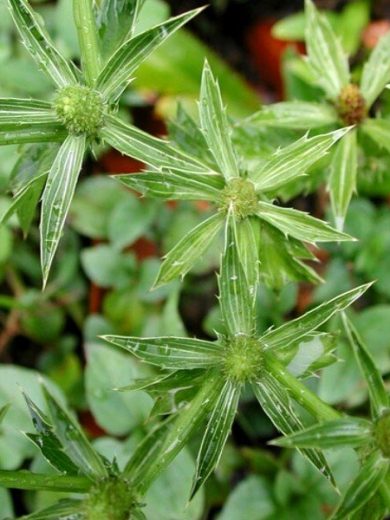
<point x="376" y="71"/>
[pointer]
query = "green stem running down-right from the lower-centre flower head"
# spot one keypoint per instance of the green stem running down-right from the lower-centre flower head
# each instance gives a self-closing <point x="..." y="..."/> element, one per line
<point x="310" y="401"/>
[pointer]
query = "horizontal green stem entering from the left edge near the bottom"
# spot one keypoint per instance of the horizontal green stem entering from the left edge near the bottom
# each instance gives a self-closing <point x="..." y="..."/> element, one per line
<point x="27" y="480"/>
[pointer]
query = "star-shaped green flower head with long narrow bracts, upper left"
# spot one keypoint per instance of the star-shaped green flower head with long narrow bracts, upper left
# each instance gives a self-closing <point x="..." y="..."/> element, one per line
<point x="82" y="110"/>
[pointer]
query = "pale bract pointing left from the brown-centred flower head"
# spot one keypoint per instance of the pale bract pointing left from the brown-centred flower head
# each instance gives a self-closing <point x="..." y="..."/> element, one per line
<point x="300" y="115"/>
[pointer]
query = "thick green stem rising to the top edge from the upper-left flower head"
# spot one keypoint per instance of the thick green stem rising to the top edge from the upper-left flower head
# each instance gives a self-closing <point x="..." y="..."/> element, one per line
<point x="87" y="32"/>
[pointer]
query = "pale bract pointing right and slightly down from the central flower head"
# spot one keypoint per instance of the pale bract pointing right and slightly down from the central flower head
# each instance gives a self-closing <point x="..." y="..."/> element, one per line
<point x="299" y="225"/>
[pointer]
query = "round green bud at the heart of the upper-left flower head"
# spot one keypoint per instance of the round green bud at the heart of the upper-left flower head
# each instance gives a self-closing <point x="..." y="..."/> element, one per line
<point x="80" y="109"/>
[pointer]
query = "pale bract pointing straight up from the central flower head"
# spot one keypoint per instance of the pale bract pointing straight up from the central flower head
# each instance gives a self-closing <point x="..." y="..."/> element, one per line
<point x="215" y="126"/>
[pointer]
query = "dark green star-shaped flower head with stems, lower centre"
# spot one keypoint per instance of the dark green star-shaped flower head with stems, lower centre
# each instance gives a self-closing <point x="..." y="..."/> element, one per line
<point x="216" y="372"/>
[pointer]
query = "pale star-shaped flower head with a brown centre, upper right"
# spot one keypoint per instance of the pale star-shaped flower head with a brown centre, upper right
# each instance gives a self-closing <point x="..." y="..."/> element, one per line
<point x="346" y="104"/>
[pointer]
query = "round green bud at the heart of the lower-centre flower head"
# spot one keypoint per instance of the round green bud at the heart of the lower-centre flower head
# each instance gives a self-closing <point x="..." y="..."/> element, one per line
<point x="243" y="359"/>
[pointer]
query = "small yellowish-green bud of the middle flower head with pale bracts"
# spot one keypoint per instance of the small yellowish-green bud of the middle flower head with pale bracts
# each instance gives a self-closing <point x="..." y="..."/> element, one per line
<point x="240" y="196"/>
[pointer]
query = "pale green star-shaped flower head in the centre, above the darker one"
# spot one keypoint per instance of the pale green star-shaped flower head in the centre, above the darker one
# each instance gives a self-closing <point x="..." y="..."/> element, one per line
<point x="267" y="234"/>
